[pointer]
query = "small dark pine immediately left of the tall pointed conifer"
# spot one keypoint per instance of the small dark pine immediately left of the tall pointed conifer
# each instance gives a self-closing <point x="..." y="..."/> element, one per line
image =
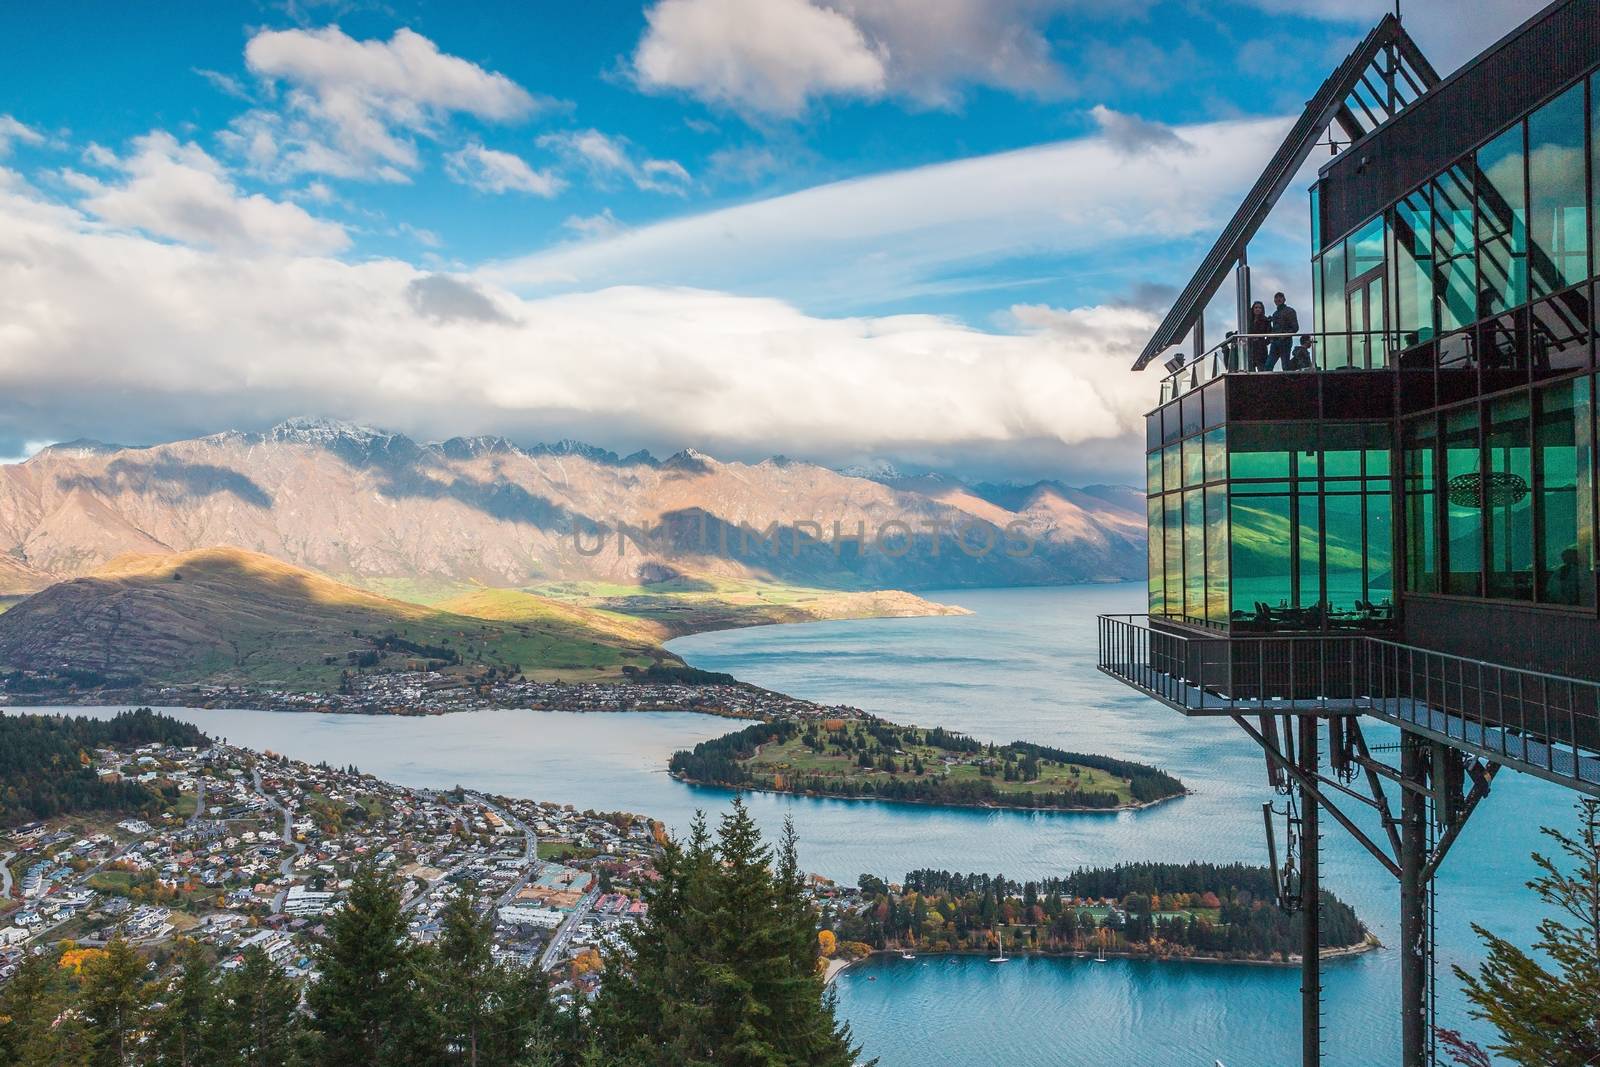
<point x="254" y="1018"/>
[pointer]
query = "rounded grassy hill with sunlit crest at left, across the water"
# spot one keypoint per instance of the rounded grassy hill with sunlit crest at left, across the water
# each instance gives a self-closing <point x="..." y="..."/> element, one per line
<point x="234" y="617"/>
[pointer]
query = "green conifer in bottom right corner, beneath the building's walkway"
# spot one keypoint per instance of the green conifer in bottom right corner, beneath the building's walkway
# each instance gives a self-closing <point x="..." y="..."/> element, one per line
<point x="1550" y="1018"/>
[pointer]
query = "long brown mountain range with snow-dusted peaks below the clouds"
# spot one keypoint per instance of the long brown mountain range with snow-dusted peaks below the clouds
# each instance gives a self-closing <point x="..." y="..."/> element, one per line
<point x="430" y="521"/>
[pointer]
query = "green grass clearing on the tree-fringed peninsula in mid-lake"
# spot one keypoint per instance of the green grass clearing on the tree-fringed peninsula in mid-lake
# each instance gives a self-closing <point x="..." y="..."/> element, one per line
<point x="796" y="759"/>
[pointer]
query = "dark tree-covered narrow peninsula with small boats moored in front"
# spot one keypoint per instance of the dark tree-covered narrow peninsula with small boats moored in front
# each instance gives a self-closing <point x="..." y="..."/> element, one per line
<point x="1222" y="911"/>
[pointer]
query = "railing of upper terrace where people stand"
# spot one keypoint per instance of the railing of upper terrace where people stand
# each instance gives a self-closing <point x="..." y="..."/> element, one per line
<point x="1257" y="354"/>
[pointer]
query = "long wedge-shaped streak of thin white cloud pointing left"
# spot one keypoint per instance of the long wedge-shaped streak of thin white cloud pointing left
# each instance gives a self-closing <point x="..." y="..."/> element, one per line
<point x="940" y="228"/>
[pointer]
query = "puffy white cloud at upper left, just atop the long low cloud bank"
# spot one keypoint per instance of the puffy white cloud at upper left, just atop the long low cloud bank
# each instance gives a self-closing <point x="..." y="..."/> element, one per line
<point x="177" y="191"/>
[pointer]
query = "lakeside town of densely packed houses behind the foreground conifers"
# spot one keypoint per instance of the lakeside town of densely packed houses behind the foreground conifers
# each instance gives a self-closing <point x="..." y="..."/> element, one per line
<point x="258" y="849"/>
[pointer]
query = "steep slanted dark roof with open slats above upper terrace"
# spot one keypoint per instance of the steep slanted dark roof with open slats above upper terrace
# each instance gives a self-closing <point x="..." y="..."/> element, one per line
<point x="1359" y="98"/>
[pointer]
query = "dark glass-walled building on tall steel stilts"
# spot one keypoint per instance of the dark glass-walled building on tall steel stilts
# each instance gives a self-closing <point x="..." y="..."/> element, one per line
<point x="1398" y="521"/>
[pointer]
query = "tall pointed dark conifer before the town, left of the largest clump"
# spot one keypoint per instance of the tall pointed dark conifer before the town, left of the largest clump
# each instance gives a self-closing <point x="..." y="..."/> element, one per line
<point x="367" y="1007"/>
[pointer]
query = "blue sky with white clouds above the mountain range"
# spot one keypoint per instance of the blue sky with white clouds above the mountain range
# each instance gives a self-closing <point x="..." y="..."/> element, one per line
<point x="846" y="230"/>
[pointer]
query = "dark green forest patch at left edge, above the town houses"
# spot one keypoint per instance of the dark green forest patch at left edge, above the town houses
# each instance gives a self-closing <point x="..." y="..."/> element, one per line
<point x="46" y="764"/>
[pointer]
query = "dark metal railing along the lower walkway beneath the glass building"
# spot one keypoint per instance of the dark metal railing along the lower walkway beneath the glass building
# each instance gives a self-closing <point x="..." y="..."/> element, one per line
<point x="1542" y="724"/>
